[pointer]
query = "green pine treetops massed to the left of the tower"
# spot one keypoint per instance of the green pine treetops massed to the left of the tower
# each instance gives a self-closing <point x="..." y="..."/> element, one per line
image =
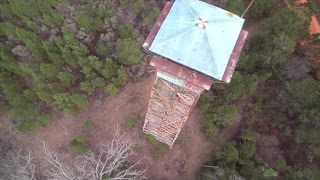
<point x="50" y="77"/>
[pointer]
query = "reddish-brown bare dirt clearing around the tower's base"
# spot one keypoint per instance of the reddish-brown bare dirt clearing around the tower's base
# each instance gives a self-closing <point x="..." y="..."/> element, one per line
<point x="107" y="113"/>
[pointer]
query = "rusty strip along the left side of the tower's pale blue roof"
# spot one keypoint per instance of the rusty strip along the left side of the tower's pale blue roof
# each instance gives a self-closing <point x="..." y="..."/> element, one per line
<point x="155" y="29"/>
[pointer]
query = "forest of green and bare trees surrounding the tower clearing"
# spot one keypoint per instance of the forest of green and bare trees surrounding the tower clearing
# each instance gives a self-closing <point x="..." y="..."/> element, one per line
<point x="57" y="54"/>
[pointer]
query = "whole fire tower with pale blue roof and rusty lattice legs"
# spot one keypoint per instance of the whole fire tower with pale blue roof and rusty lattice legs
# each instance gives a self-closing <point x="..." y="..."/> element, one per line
<point x="193" y="44"/>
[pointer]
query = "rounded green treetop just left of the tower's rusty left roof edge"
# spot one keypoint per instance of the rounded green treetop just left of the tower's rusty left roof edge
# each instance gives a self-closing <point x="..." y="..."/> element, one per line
<point x="128" y="52"/>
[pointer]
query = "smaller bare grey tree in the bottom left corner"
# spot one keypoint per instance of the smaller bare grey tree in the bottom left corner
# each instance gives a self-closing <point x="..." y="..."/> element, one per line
<point x="20" y="166"/>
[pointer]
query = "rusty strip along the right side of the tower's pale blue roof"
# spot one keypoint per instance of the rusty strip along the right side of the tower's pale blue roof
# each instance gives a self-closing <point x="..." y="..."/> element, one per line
<point x="234" y="58"/>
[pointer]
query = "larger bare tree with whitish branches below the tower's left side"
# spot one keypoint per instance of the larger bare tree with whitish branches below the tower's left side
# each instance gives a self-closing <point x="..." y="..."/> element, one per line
<point x="111" y="162"/>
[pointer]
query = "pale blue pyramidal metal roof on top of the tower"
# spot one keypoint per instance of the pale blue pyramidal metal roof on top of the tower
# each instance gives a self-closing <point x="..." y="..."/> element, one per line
<point x="198" y="35"/>
